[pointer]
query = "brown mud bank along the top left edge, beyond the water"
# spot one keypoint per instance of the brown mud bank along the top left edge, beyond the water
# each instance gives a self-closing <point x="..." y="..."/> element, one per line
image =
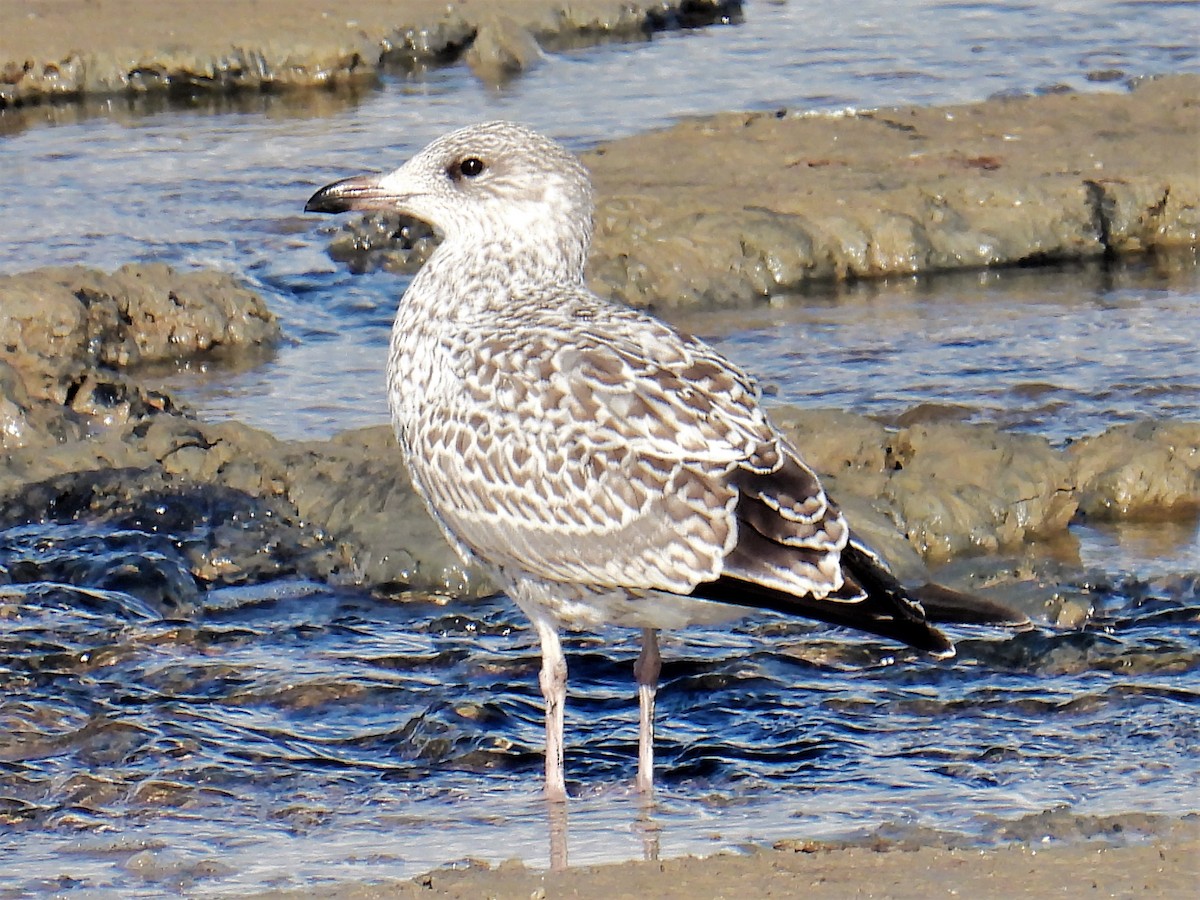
<point x="51" y="53"/>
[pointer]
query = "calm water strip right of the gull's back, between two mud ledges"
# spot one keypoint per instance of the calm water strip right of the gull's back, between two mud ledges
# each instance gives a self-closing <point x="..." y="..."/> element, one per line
<point x="1061" y="352"/>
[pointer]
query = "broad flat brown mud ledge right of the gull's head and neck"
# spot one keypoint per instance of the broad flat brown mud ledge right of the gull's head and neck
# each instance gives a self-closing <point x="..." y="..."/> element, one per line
<point x="725" y="209"/>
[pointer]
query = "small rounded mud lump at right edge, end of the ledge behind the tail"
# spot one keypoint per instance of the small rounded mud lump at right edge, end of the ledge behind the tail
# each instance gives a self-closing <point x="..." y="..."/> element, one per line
<point x="1141" y="471"/>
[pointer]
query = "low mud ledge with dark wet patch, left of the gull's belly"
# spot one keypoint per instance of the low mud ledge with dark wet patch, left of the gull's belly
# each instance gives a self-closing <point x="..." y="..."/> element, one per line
<point x="244" y="507"/>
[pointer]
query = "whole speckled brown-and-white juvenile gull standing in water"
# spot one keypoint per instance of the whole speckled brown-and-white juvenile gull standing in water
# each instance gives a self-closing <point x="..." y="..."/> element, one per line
<point x="604" y="467"/>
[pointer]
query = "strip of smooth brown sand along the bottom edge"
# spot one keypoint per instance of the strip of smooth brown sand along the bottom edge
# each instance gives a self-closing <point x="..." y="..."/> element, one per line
<point x="1165" y="868"/>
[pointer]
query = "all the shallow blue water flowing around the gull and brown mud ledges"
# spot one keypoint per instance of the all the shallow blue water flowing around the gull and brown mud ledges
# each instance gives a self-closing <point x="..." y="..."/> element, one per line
<point x="157" y="739"/>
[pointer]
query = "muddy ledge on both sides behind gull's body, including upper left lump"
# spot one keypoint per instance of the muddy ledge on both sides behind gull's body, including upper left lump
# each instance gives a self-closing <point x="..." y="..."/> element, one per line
<point x="87" y="440"/>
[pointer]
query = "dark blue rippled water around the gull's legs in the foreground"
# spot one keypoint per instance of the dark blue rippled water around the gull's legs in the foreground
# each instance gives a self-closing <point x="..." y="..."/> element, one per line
<point x="289" y="734"/>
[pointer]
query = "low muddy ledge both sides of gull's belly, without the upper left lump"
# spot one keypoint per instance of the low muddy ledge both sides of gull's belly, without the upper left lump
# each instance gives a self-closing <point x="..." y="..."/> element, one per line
<point x="244" y="507"/>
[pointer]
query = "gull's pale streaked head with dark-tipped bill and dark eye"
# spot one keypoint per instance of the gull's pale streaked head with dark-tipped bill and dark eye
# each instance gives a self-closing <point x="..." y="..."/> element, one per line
<point x="499" y="184"/>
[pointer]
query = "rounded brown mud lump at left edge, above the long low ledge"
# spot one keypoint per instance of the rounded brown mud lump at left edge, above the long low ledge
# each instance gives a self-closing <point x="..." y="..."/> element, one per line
<point x="69" y="334"/>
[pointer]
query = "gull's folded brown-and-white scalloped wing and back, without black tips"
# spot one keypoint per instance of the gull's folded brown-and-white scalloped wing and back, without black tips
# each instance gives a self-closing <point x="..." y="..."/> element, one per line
<point x="595" y="446"/>
